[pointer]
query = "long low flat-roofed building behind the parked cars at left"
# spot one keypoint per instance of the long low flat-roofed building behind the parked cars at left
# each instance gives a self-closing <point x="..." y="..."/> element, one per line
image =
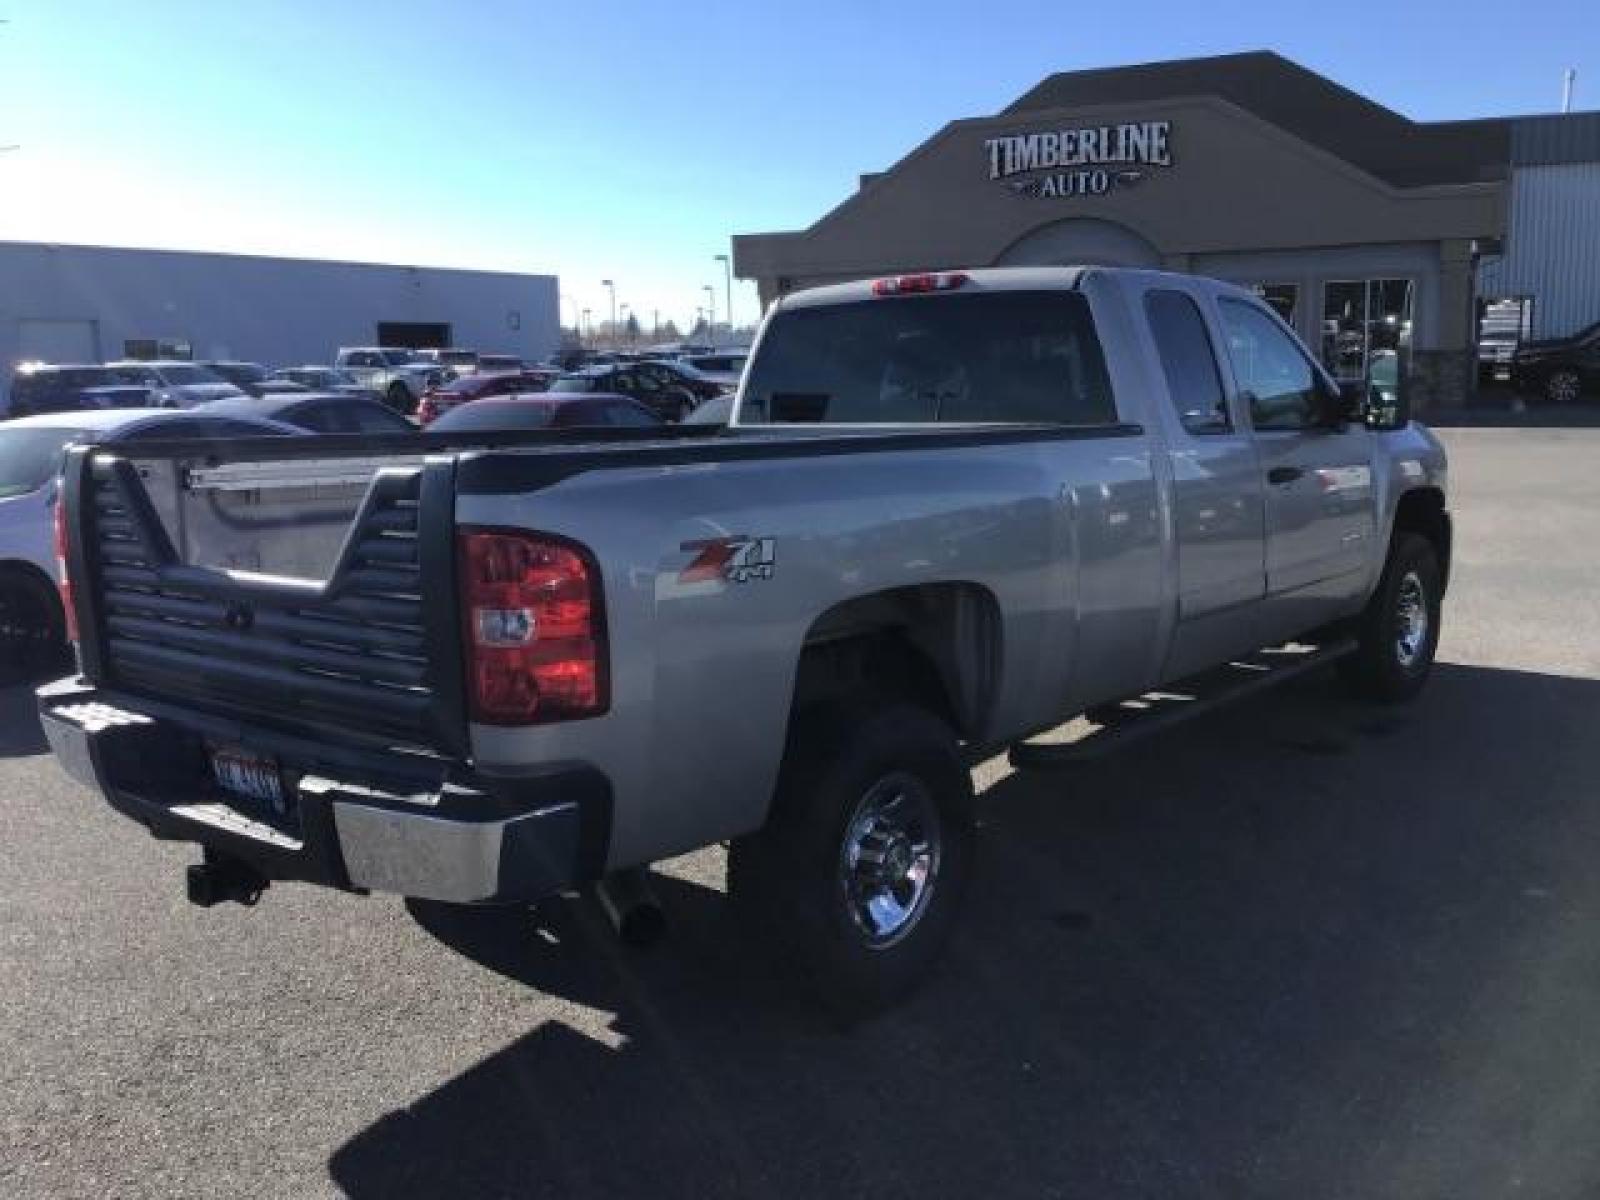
<point x="76" y="305"/>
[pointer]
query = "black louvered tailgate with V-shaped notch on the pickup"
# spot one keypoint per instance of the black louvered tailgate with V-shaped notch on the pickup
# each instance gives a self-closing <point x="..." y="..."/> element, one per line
<point x="370" y="655"/>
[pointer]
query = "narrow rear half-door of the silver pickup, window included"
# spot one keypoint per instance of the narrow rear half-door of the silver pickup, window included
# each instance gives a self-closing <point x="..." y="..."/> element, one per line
<point x="1218" y="506"/>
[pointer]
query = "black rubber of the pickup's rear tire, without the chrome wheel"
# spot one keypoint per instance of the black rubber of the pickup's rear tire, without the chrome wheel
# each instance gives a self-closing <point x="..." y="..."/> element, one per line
<point x="790" y="871"/>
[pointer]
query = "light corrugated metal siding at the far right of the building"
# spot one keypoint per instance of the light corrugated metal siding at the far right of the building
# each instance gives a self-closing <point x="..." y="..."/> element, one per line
<point x="1553" y="250"/>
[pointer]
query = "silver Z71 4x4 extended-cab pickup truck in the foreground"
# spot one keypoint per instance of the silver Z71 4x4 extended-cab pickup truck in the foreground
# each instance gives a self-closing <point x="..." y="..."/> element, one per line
<point x="953" y="513"/>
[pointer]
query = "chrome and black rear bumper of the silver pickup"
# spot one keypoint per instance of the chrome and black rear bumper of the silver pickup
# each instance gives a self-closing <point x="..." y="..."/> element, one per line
<point x="367" y="818"/>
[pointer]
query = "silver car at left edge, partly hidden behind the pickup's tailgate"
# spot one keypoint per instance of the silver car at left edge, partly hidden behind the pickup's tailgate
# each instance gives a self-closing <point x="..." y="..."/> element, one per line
<point x="33" y="625"/>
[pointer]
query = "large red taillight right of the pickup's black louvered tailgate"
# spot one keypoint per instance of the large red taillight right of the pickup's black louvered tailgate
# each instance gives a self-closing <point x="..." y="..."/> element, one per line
<point x="535" y="633"/>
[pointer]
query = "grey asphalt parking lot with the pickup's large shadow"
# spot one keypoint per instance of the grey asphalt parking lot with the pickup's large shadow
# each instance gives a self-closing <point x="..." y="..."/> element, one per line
<point x="1306" y="950"/>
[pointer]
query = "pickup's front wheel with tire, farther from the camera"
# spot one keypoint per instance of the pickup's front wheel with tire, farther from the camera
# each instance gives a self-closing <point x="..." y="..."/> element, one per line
<point x="1399" y="631"/>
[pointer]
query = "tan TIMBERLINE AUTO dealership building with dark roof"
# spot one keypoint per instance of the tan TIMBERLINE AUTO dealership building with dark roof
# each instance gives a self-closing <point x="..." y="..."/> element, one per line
<point x="1382" y="239"/>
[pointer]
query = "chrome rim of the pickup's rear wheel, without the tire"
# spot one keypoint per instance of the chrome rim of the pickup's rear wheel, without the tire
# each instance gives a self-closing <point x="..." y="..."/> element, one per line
<point x="890" y="860"/>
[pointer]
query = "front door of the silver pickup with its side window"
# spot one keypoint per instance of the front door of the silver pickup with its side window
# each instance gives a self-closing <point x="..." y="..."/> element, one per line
<point x="1321" y="506"/>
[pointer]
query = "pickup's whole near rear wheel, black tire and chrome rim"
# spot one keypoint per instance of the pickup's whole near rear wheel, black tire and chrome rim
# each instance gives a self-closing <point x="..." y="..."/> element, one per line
<point x="860" y="870"/>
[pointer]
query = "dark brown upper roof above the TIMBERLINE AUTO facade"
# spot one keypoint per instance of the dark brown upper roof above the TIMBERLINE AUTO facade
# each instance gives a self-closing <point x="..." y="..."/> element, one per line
<point x="1311" y="106"/>
